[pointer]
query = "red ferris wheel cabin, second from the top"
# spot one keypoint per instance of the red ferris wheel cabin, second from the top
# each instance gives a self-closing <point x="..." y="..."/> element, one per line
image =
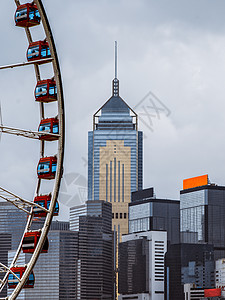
<point x="38" y="50"/>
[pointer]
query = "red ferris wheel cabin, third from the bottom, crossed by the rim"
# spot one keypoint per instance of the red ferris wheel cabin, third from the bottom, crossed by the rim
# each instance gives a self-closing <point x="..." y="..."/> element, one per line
<point x="44" y="201"/>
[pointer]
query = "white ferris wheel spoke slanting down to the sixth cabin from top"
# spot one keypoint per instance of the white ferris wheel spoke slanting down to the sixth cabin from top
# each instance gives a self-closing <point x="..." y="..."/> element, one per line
<point x="19" y="202"/>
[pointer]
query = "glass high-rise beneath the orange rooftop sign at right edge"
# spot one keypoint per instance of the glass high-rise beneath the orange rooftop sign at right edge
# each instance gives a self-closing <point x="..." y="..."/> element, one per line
<point x="202" y="216"/>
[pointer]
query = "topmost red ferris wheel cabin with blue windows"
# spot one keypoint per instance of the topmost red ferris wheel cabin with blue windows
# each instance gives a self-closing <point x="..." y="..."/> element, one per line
<point x="27" y="15"/>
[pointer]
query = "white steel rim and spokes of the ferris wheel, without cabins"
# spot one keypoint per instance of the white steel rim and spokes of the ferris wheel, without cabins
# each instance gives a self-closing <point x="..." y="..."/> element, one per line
<point x="19" y="202"/>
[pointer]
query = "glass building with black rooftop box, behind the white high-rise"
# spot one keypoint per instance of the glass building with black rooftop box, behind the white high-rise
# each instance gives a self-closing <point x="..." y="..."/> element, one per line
<point x="146" y="212"/>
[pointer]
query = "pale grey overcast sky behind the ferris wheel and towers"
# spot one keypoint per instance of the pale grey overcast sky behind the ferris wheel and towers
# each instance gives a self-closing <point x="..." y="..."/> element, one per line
<point x="171" y="51"/>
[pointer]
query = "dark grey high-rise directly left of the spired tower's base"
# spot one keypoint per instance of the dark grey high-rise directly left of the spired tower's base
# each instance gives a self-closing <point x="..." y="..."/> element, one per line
<point x="96" y="250"/>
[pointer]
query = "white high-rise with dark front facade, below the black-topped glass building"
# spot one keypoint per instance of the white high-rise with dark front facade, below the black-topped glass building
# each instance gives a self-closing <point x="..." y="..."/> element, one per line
<point x="141" y="260"/>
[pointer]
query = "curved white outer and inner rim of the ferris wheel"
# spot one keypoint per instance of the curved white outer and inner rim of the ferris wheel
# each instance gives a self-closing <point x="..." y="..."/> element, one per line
<point x="60" y="154"/>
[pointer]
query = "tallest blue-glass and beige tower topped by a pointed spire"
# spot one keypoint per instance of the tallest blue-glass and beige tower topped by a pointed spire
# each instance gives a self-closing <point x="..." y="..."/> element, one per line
<point x="115" y="156"/>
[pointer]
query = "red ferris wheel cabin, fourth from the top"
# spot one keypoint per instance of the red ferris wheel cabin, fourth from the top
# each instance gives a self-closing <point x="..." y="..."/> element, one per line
<point x="50" y="125"/>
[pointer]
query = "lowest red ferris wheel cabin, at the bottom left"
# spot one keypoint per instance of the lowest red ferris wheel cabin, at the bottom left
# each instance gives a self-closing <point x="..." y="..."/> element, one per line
<point x="18" y="271"/>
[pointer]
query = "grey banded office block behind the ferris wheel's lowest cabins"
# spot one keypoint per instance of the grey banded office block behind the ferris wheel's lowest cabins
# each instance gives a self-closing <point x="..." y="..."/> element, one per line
<point x="56" y="271"/>
